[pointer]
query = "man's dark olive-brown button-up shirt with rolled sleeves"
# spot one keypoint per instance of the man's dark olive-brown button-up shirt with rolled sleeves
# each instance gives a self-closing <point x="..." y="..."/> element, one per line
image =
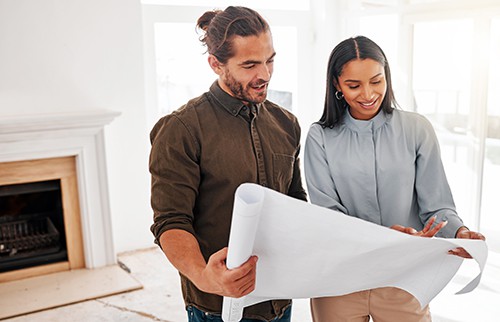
<point x="200" y="154"/>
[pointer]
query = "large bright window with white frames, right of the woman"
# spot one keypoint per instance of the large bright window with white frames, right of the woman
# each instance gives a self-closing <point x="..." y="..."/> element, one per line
<point x="447" y="69"/>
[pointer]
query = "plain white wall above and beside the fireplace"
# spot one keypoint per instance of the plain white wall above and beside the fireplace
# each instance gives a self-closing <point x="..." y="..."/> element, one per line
<point x="62" y="55"/>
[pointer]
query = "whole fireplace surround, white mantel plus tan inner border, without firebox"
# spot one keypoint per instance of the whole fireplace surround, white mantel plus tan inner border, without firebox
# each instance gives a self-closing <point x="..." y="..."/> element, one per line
<point x="66" y="147"/>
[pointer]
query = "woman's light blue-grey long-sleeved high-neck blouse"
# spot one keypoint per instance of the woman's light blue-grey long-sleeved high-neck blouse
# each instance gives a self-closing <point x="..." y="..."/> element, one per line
<point x="386" y="170"/>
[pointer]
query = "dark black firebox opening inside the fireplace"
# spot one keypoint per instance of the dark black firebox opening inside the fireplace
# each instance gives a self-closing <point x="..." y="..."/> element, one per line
<point x="31" y="225"/>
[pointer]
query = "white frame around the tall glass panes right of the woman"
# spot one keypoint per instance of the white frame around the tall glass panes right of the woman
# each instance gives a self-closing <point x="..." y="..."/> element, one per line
<point x="482" y="12"/>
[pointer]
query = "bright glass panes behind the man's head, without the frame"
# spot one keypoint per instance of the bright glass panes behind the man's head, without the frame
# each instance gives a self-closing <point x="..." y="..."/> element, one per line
<point x="182" y="71"/>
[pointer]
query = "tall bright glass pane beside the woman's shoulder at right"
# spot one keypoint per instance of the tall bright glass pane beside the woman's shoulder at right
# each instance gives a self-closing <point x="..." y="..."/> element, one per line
<point x="441" y="88"/>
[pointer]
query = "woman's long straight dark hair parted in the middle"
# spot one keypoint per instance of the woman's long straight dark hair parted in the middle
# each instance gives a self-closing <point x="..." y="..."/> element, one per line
<point x="359" y="47"/>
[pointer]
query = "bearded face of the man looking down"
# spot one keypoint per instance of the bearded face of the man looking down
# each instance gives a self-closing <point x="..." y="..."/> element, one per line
<point x="246" y="75"/>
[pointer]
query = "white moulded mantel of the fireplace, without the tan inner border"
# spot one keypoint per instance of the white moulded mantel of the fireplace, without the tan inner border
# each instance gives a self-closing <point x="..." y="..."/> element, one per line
<point x="79" y="134"/>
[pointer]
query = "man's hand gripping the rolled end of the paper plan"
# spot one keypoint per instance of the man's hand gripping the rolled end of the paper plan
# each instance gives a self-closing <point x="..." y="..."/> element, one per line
<point x="216" y="278"/>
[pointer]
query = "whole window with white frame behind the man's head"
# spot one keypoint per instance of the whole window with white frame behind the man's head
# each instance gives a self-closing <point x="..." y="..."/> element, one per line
<point x="176" y="63"/>
